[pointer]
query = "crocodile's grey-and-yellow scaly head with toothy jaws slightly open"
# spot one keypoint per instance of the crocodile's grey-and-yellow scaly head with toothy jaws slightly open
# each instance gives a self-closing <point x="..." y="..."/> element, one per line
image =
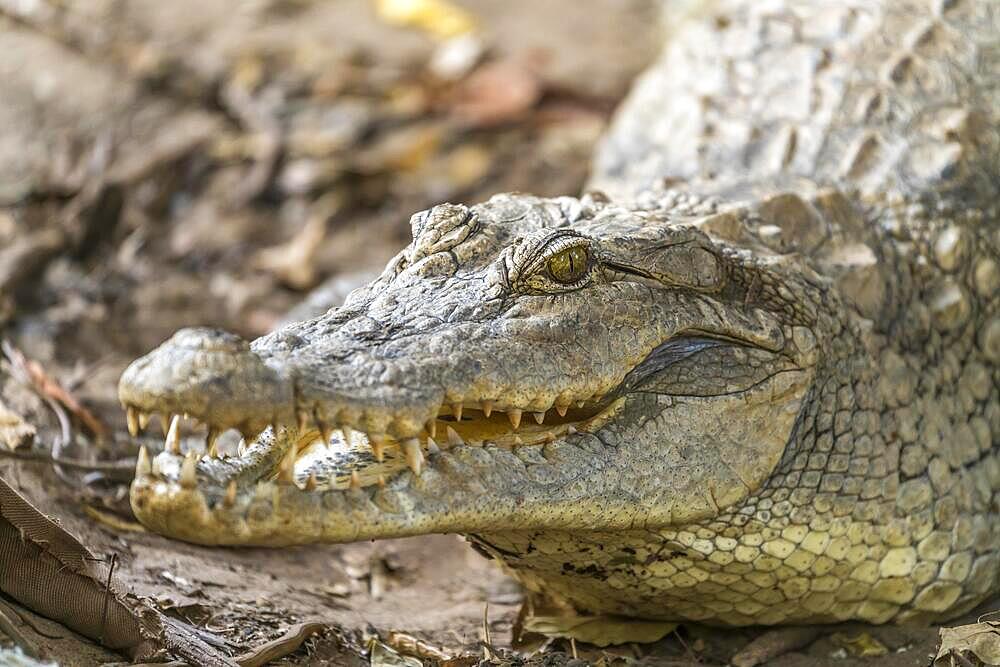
<point x="526" y="363"/>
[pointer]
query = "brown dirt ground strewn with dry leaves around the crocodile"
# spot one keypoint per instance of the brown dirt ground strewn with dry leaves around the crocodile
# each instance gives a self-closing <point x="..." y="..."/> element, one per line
<point x="208" y="162"/>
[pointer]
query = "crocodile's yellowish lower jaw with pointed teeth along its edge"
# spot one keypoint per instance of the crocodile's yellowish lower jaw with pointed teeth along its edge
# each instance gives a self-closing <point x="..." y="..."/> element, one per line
<point x="606" y="480"/>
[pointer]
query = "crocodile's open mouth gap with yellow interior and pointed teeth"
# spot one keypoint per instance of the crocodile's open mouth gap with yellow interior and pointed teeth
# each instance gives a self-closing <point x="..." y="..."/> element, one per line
<point x="326" y="456"/>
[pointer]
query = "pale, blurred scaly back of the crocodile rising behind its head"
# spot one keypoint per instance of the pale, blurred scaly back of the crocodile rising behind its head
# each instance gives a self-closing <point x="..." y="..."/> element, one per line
<point x="890" y="98"/>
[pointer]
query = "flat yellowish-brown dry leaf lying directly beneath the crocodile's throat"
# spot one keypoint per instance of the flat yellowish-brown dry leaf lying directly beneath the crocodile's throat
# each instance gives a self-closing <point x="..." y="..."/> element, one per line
<point x="600" y="630"/>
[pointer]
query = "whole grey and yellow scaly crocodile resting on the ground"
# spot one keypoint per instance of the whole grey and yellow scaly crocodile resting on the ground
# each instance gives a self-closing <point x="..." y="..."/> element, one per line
<point x="749" y="376"/>
